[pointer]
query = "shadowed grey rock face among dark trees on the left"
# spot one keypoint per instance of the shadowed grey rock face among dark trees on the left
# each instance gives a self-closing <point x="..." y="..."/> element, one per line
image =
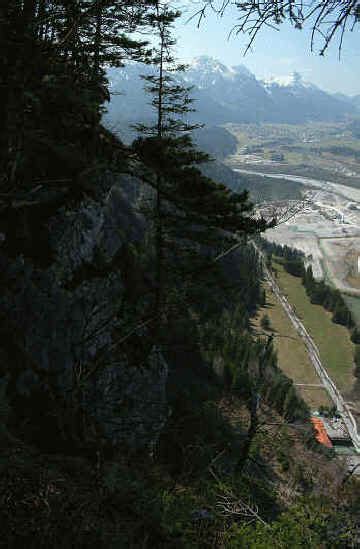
<point x="56" y="321"/>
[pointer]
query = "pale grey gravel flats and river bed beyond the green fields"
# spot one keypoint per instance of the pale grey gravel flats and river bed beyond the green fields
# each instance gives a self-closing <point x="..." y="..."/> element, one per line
<point x="326" y="228"/>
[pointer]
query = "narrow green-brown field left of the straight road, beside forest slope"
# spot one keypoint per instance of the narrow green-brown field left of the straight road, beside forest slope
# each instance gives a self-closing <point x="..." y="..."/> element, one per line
<point x="292" y="355"/>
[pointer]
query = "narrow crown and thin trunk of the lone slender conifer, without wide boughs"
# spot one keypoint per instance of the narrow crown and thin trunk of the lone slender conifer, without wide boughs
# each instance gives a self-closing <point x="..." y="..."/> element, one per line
<point x="162" y="144"/>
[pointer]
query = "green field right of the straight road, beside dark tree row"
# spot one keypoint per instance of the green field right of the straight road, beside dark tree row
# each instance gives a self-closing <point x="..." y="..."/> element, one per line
<point x="333" y="341"/>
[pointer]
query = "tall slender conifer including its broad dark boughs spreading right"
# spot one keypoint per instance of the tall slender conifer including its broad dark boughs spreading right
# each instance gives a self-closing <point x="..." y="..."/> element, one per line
<point x="194" y="217"/>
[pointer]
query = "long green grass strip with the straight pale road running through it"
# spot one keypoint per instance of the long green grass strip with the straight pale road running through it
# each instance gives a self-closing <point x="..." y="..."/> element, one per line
<point x="297" y="348"/>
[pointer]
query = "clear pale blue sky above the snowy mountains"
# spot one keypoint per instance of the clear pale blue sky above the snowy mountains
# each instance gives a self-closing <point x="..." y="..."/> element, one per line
<point x="275" y="53"/>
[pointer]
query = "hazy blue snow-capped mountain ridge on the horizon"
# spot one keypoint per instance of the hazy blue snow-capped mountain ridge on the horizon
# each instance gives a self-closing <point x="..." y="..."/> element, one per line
<point x="234" y="94"/>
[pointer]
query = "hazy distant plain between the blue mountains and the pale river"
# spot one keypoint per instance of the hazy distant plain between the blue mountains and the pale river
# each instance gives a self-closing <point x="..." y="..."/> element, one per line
<point x="327" y="151"/>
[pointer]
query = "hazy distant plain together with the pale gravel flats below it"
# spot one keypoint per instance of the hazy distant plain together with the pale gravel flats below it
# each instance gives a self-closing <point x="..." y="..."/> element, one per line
<point x="324" y="160"/>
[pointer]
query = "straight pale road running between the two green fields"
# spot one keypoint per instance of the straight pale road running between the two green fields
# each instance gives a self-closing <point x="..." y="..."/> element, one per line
<point x="335" y="395"/>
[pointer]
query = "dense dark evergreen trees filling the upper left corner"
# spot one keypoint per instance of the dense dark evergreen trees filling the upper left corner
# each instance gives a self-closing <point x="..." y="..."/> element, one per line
<point x="53" y="85"/>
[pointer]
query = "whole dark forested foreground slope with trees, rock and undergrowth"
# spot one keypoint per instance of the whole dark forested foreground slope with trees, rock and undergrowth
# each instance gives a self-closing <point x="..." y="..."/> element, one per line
<point x="137" y="408"/>
